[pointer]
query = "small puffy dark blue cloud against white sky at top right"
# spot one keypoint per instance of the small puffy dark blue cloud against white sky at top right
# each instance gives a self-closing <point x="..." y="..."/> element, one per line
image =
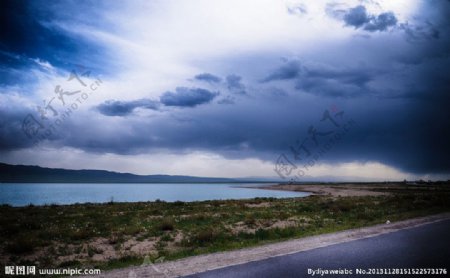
<point x="359" y="18"/>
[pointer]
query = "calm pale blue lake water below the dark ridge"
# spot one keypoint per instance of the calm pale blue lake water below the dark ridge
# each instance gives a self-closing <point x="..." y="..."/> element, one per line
<point x="22" y="194"/>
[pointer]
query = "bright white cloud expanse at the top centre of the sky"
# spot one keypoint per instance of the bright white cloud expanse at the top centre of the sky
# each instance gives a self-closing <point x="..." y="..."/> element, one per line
<point x="158" y="45"/>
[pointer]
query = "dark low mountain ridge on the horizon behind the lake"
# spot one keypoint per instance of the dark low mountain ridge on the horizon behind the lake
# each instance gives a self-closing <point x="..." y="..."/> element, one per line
<point x="29" y="174"/>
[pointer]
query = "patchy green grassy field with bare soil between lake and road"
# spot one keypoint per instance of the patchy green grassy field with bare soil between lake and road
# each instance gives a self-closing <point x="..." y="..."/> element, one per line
<point x="116" y="235"/>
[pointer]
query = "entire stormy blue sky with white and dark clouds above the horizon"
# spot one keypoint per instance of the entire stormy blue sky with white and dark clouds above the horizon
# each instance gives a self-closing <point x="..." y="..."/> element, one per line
<point x="295" y="89"/>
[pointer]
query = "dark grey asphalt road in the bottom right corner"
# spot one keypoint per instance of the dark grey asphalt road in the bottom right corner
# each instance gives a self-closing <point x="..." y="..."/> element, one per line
<point x="426" y="246"/>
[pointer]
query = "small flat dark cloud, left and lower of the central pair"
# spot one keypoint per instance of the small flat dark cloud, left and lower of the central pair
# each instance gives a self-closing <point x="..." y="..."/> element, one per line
<point x="124" y="108"/>
